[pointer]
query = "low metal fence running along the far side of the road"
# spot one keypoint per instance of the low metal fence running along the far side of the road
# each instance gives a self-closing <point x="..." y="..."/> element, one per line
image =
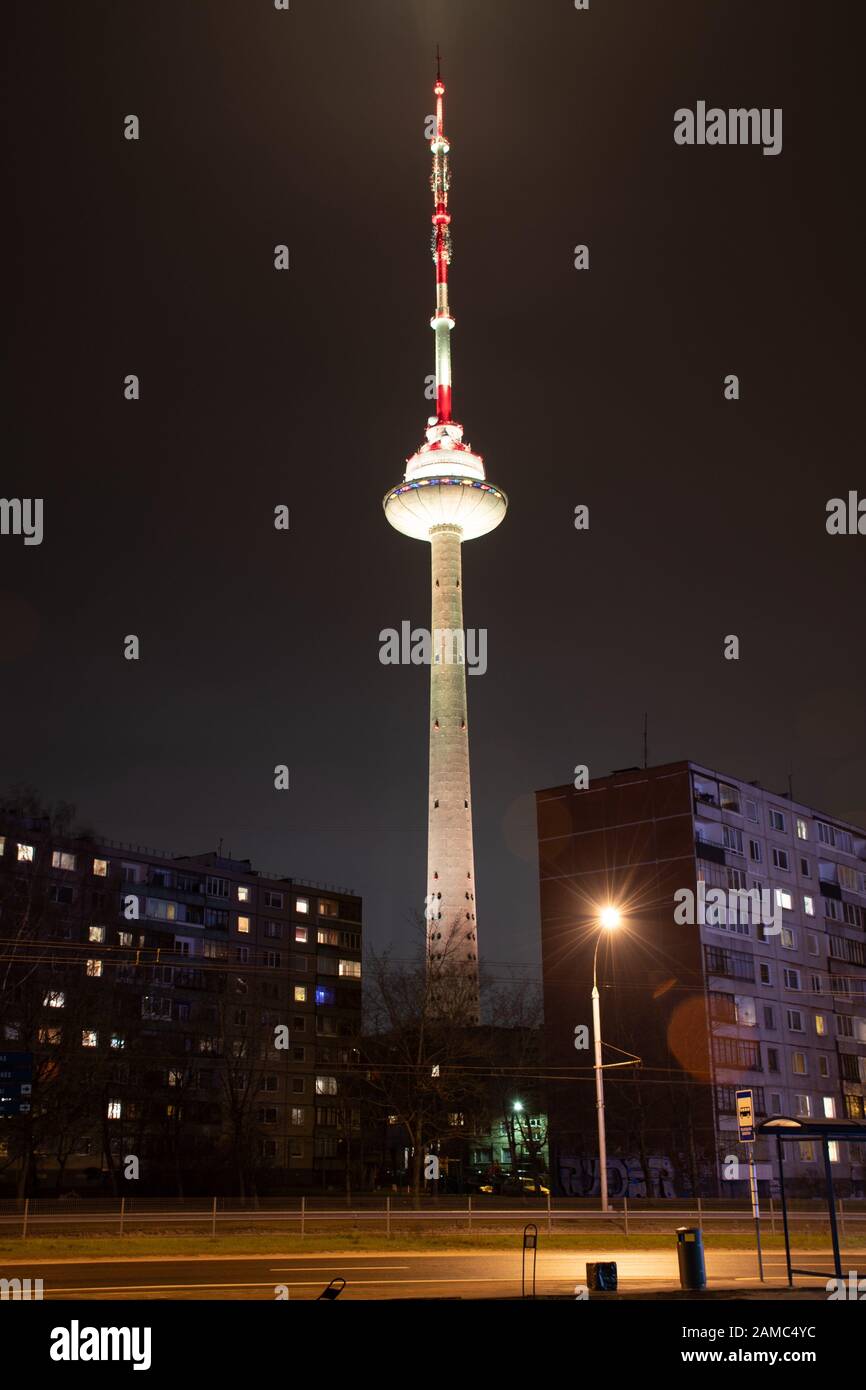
<point x="389" y="1216"/>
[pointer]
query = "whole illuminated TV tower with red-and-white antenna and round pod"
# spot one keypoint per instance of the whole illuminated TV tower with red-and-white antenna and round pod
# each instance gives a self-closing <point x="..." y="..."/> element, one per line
<point x="446" y="500"/>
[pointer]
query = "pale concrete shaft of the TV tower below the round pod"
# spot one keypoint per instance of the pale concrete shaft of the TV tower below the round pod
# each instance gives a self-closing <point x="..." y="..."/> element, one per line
<point x="451" y="867"/>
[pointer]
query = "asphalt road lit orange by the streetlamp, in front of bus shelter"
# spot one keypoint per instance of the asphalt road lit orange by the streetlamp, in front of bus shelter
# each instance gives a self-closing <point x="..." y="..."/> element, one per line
<point x="387" y="1275"/>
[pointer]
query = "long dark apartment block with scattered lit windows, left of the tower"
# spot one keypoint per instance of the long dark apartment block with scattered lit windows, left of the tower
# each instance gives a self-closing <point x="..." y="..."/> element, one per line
<point x="190" y="1011"/>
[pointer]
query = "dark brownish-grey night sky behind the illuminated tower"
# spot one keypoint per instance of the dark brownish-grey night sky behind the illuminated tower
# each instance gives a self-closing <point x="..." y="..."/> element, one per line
<point x="308" y="389"/>
